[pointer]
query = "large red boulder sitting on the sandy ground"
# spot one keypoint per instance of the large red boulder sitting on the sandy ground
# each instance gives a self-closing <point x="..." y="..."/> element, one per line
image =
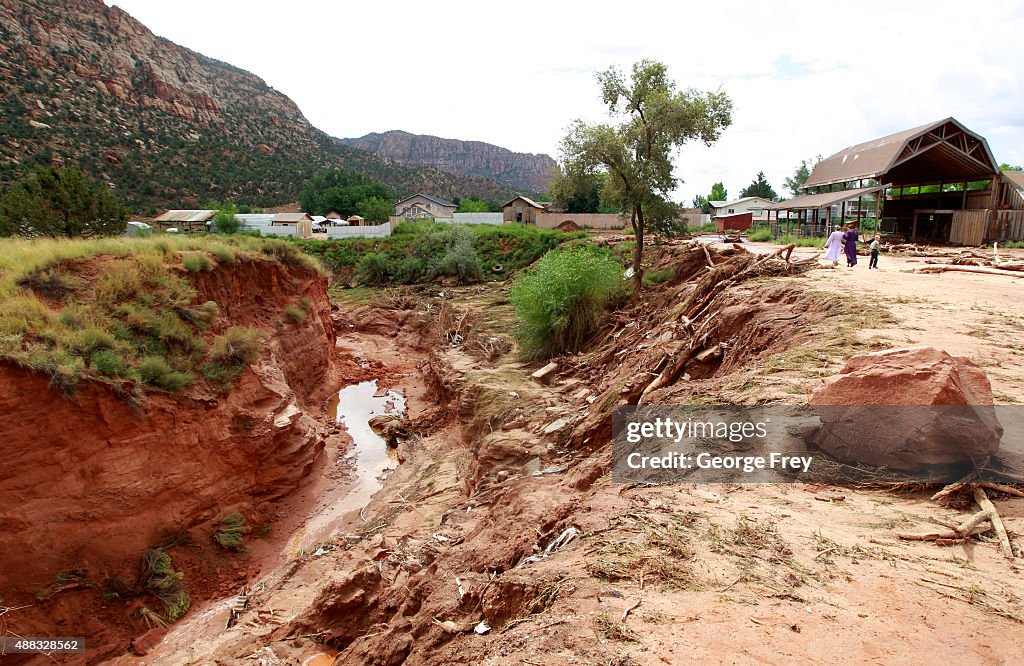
<point x="908" y="410"/>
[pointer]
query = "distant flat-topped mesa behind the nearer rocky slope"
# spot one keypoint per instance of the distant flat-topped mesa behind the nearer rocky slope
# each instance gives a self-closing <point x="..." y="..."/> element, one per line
<point x="525" y="172"/>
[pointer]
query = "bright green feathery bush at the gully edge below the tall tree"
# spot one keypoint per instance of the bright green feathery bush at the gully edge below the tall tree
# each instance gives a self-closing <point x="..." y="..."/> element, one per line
<point x="561" y="303"/>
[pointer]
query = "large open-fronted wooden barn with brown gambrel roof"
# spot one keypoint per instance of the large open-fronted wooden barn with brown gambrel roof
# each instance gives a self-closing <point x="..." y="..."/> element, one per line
<point x="938" y="183"/>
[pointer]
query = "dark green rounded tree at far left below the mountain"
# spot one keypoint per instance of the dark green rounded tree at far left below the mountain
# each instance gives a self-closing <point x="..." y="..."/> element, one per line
<point x="61" y="203"/>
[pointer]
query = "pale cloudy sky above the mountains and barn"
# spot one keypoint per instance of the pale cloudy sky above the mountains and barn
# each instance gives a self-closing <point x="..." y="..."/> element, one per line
<point x="806" y="78"/>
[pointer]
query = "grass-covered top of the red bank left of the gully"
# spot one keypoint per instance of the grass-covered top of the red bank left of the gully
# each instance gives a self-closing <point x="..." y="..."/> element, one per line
<point x="121" y="311"/>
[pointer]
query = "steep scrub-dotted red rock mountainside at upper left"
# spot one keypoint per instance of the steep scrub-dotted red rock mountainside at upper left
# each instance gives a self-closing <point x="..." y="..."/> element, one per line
<point x="88" y="86"/>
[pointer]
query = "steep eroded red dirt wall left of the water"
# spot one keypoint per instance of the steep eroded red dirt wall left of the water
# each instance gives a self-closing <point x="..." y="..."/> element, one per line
<point x="90" y="484"/>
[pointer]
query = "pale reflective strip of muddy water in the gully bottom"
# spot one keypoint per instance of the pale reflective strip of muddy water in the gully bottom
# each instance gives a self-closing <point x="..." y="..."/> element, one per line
<point x="370" y="459"/>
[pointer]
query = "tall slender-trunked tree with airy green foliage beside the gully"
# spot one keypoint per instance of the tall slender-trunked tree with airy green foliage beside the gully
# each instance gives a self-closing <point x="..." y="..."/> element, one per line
<point x="655" y="120"/>
